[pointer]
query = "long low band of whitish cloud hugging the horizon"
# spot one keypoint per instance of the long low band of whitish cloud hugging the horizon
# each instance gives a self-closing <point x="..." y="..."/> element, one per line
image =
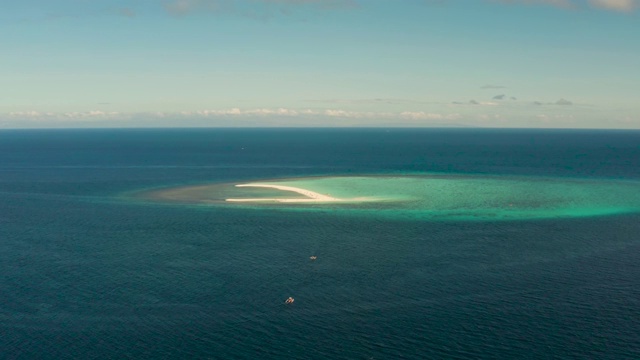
<point x="227" y="117"/>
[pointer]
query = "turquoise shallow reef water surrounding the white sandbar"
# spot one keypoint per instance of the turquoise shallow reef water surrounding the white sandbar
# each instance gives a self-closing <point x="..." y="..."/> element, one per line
<point x="436" y="196"/>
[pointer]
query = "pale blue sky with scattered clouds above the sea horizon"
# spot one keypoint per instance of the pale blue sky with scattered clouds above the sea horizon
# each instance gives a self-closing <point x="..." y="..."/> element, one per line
<point x="311" y="63"/>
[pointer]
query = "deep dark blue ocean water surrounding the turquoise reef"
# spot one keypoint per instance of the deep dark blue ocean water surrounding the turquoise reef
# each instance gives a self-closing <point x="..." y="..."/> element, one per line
<point x="89" y="272"/>
